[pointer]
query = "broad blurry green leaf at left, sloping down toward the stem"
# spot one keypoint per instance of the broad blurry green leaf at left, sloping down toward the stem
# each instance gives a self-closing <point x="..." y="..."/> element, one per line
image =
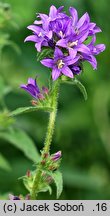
<point x="22" y="141"/>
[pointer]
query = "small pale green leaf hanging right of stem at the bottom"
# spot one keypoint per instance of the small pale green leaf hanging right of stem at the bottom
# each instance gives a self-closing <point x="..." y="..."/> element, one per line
<point x="57" y="177"/>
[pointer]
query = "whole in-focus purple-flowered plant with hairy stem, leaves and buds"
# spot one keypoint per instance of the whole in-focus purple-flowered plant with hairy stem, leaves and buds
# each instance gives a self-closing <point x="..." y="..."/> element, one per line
<point x="62" y="43"/>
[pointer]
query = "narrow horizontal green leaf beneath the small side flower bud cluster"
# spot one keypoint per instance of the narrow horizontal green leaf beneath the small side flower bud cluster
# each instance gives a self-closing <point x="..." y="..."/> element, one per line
<point x="28" y="109"/>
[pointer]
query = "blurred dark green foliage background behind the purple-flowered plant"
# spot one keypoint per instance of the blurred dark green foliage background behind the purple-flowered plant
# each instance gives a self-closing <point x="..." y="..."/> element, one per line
<point x="82" y="128"/>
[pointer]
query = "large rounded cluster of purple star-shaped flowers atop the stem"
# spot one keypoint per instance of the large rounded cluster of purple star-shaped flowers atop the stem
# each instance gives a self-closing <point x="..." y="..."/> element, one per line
<point x="68" y="37"/>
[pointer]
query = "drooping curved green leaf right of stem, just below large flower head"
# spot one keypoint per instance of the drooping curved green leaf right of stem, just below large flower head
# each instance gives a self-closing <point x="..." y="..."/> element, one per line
<point x="77" y="83"/>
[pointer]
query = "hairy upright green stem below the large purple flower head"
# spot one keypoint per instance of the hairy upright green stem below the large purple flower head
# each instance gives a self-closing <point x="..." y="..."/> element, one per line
<point x="48" y="139"/>
